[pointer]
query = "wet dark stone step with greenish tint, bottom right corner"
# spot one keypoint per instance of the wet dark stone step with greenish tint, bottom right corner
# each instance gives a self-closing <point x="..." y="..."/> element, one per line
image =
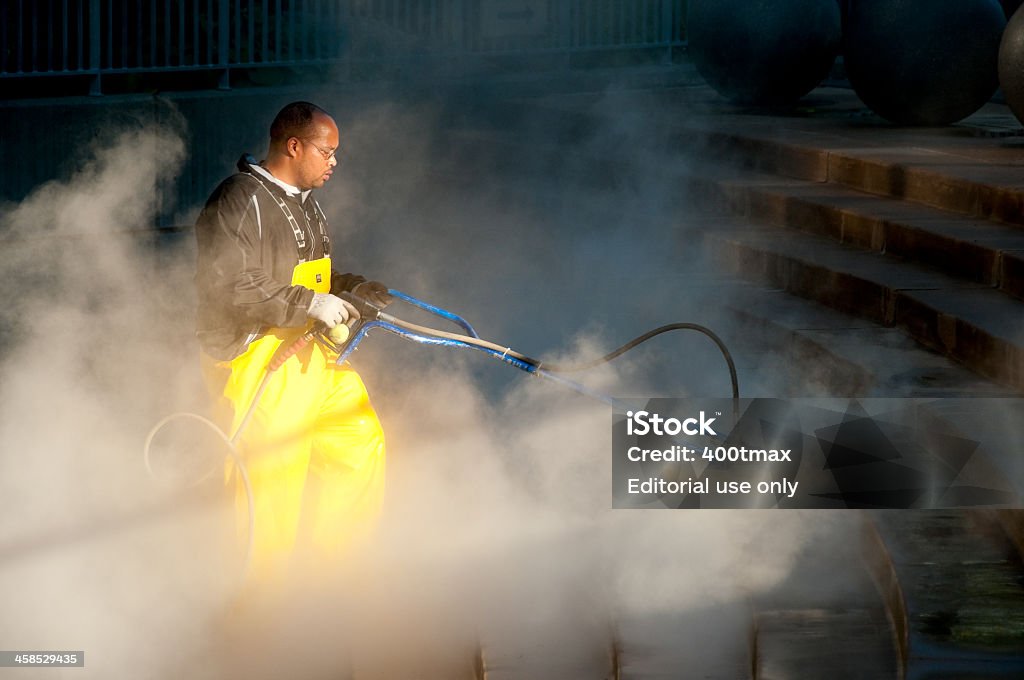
<point x="959" y="608"/>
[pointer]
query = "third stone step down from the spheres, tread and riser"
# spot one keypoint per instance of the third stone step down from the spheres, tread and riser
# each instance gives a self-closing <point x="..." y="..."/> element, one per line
<point x="974" y="325"/>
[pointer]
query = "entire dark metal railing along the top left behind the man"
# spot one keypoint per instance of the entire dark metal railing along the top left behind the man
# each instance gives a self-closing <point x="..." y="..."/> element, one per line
<point x="99" y="37"/>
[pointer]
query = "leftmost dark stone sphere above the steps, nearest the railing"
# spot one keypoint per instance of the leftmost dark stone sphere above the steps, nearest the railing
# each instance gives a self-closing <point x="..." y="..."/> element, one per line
<point x="763" y="52"/>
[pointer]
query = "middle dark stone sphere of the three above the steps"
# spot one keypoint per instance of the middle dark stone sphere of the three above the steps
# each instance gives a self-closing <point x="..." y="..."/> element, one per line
<point x="923" y="62"/>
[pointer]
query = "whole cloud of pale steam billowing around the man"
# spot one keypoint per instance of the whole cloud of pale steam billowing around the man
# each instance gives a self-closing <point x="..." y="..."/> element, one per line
<point x="498" y="529"/>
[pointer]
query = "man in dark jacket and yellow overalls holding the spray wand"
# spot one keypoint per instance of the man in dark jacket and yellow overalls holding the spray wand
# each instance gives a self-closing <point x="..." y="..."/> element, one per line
<point x="314" y="447"/>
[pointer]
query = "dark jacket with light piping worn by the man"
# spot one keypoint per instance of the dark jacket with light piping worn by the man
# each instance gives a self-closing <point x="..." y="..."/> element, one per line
<point x="247" y="248"/>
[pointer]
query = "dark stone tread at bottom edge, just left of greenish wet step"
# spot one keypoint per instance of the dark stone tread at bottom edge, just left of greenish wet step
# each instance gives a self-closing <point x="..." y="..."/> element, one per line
<point x="832" y="645"/>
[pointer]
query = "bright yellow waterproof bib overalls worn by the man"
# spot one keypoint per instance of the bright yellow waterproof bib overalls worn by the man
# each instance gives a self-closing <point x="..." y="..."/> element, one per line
<point x="314" y="448"/>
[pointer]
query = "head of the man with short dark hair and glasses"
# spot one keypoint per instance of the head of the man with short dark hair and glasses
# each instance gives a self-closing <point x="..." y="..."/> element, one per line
<point x="304" y="143"/>
